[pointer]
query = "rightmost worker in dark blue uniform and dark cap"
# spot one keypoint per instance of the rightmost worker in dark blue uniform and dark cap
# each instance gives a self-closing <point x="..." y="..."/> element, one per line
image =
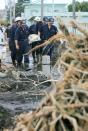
<point x="47" y="31"/>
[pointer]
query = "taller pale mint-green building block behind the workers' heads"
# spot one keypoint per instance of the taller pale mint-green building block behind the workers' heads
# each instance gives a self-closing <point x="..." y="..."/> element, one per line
<point x="35" y="10"/>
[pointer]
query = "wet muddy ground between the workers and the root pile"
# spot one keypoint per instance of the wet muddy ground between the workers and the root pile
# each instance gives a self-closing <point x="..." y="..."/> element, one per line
<point x="21" y="91"/>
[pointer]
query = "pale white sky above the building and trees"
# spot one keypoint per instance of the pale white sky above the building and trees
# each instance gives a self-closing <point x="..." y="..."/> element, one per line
<point x="2" y="2"/>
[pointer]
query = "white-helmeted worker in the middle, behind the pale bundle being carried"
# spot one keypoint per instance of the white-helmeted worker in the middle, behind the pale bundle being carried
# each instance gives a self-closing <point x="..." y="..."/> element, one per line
<point x="34" y="28"/>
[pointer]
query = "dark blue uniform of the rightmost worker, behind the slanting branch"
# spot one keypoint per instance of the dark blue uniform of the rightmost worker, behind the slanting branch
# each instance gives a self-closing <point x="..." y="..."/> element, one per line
<point x="45" y="34"/>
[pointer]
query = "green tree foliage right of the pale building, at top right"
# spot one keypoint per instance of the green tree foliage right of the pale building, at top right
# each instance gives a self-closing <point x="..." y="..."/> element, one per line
<point x="83" y="6"/>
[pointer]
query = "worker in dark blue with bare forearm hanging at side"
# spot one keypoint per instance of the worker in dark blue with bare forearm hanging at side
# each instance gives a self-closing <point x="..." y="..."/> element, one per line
<point x="22" y="44"/>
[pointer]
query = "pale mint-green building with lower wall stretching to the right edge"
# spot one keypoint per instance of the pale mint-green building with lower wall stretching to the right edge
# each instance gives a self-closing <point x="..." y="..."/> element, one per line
<point x="59" y="10"/>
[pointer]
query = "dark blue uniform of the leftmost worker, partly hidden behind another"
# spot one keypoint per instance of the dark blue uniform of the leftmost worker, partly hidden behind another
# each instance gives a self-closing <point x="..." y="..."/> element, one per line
<point x="12" y="45"/>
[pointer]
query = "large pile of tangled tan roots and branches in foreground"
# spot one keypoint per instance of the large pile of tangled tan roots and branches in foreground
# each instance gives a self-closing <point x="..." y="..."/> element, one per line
<point x="65" y="108"/>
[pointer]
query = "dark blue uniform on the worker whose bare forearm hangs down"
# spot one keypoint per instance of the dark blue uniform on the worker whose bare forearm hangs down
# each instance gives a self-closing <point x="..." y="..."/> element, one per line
<point x="21" y="36"/>
